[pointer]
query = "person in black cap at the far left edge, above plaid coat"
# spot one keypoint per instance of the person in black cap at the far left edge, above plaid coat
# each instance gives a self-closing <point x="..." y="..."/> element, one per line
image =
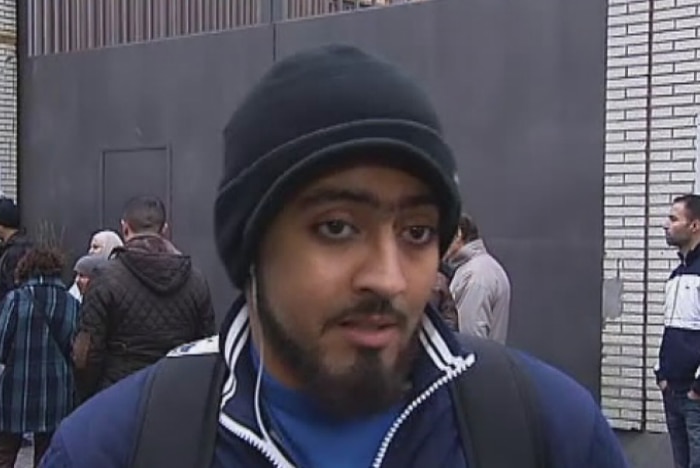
<point x="15" y="243"/>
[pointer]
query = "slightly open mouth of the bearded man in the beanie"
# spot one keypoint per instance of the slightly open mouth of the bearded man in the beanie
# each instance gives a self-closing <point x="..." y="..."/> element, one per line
<point x="370" y="331"/>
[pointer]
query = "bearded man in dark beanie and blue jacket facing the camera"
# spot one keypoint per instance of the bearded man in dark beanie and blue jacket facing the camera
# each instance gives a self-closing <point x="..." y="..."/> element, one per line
<point x="338" y="198"/>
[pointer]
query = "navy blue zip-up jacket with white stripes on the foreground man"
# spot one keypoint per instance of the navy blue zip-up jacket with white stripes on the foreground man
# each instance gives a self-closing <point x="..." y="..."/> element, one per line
<point x="102" y="432"/>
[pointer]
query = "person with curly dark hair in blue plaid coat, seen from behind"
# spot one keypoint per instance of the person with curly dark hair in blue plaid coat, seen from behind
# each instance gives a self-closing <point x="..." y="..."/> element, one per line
<point x="37" y="325"/>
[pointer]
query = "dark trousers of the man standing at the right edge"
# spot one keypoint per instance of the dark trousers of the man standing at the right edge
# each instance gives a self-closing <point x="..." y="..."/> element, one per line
<point x="683" y="422"/>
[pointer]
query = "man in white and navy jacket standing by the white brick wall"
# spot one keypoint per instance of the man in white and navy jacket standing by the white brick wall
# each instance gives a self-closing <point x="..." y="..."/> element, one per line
<point x="678" y="369"/>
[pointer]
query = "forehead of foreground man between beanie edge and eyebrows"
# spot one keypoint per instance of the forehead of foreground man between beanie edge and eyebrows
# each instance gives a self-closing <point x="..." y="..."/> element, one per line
<point x="368" y="184"/>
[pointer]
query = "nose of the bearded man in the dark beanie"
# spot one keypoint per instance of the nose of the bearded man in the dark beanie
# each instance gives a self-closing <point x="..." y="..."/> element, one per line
<point x="381" y="271"/>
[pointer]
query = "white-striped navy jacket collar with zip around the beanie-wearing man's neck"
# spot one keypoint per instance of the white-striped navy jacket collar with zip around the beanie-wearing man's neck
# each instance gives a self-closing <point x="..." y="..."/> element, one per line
<point x="439" y="361"/>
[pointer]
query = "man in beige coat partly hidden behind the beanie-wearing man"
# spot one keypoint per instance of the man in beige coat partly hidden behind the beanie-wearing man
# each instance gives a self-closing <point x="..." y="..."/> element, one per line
<point x="480" y="285"/>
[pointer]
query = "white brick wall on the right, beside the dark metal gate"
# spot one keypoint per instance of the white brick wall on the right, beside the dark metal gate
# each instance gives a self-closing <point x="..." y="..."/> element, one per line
<point x="675" y="100"/>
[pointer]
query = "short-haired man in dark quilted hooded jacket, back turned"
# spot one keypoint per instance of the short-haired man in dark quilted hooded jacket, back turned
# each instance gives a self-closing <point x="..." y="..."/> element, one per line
<point x="147" y="299"/>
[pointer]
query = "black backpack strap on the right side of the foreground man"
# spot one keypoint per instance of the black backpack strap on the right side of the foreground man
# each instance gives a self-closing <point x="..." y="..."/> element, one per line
<point x="498" y="411"/>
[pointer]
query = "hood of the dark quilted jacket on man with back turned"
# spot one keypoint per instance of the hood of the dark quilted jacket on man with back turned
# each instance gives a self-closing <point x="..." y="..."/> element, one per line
<point x="155" y="262"/>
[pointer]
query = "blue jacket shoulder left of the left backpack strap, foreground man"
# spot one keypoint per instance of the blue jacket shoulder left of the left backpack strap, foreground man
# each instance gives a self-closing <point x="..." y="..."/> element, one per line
<point x="101" y="432"/>
